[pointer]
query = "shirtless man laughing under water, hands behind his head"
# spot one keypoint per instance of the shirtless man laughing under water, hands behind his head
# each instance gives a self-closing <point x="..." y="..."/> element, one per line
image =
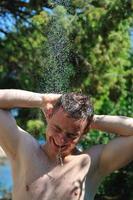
<point x="56" y="170"/>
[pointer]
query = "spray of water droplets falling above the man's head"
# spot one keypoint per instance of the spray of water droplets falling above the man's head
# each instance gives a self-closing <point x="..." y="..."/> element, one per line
<point x="55" y="62"/>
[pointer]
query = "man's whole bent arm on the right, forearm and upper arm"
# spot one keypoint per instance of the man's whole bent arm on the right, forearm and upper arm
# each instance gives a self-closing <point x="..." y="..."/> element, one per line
<point x="119" y="151"/>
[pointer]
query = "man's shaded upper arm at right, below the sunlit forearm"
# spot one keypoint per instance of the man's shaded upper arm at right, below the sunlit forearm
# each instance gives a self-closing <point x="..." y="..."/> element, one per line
<point x="116" y="154"/>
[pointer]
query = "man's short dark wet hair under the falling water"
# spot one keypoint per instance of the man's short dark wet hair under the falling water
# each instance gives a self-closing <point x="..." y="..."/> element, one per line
<point x="77" y="106"/>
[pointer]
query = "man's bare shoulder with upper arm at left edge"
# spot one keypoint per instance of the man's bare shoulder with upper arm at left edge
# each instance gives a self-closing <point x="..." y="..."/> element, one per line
<point x="13" y="139"/>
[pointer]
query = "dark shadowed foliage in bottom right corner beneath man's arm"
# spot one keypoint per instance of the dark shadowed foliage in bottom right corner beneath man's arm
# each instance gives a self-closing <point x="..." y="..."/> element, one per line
<point x="119" y="184"/>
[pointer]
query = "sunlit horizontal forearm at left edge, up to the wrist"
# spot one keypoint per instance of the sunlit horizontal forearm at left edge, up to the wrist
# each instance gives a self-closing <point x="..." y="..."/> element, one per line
<point x="10" y="98"/>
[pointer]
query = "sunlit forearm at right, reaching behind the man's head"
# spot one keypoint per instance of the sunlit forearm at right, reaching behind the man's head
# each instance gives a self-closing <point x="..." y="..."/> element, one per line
<point x="120" y="125"/>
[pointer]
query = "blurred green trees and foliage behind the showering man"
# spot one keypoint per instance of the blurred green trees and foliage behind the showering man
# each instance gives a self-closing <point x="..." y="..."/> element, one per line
<point x="60" y="46"/>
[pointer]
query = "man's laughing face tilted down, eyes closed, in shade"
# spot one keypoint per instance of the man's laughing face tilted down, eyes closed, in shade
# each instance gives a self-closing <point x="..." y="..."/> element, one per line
<point x="64" y="132"/>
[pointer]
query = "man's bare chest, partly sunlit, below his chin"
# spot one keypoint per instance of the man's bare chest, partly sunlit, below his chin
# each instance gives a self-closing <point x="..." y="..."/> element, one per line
<point x="43" y="183"/>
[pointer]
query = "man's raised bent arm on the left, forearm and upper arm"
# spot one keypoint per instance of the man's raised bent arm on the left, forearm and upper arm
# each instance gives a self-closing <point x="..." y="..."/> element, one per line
<point x="10" y="134"/>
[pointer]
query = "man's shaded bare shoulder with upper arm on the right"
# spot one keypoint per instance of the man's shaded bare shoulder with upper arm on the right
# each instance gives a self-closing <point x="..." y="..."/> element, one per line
<point x="106" y="158"/>
